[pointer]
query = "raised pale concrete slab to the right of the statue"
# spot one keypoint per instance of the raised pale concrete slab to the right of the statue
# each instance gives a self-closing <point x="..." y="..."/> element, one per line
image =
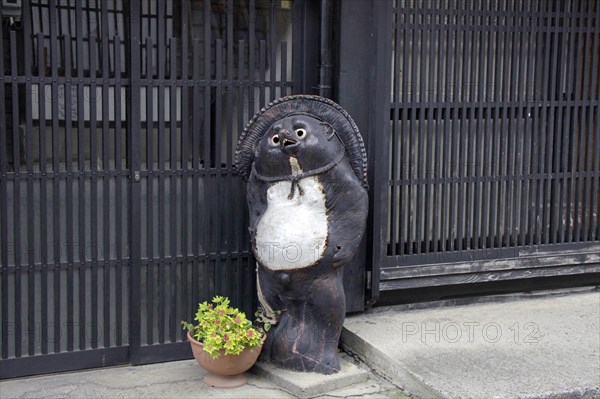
<point x="543" y="346"/>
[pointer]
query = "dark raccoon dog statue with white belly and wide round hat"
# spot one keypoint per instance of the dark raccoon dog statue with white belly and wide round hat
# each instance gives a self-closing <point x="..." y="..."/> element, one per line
<point x="305" y="164"/>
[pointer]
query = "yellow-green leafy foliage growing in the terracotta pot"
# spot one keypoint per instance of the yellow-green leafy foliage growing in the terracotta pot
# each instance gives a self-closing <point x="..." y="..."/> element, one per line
<point x="220" y="326"/>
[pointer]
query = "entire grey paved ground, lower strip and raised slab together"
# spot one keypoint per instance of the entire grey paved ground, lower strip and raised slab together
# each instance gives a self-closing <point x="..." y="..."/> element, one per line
<point x="530" y="346"/>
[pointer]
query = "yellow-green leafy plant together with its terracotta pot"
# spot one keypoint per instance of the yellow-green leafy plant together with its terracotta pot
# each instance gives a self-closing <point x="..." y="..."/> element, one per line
<point x="224" y="342"/>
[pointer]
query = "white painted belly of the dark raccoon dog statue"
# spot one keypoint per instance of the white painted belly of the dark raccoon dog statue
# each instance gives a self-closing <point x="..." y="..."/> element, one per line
<point x="292" y="233"/>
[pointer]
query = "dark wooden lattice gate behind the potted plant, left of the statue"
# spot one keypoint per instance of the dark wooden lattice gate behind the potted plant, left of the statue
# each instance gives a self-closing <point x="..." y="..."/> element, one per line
<point x="120" y="208"/>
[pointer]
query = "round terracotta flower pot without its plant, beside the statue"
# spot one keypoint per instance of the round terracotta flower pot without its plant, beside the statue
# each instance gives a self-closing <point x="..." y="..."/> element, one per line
<point x="226" y="371"/>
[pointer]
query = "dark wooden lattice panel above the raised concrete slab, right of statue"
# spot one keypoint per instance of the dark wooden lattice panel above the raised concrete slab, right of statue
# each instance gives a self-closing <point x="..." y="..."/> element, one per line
<point x="490" y="154"/>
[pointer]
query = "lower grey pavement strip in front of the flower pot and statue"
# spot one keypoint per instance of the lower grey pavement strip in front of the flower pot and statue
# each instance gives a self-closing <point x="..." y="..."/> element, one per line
<point x="179" y="380"/>
